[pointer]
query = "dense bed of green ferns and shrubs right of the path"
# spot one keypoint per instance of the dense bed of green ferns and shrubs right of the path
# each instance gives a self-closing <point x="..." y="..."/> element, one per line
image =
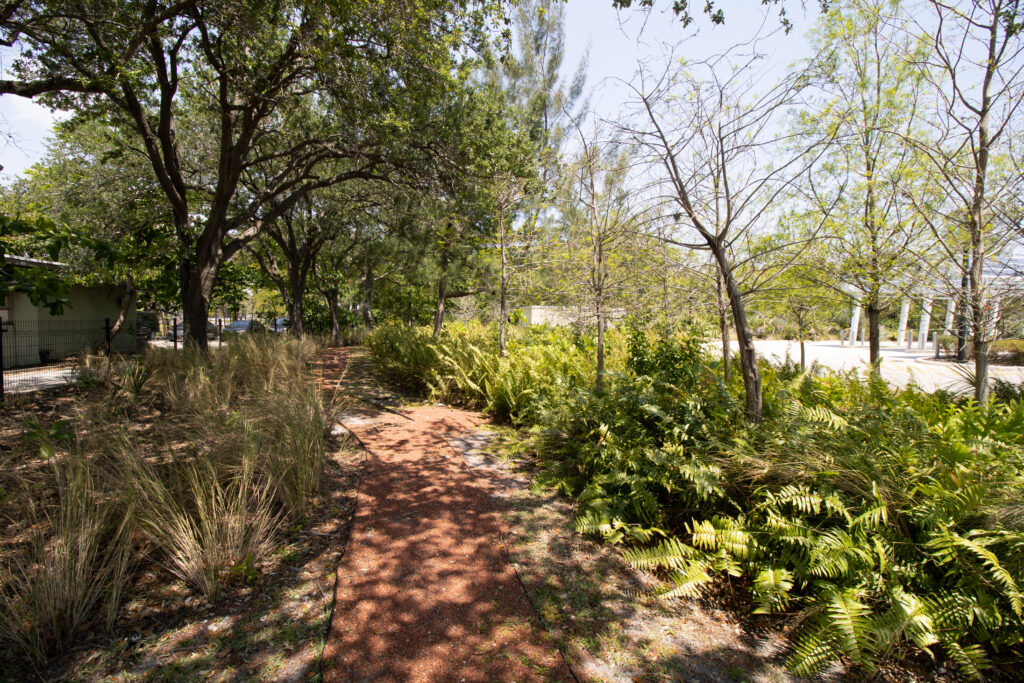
<point x="887" y="524"/>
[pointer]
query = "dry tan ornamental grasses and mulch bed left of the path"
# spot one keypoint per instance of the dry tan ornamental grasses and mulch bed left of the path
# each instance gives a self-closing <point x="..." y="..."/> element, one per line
<point x="180" y="471"/>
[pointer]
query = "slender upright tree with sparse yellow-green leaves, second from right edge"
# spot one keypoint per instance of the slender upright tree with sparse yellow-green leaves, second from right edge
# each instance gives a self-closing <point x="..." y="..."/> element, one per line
<point x="872" y="92"/>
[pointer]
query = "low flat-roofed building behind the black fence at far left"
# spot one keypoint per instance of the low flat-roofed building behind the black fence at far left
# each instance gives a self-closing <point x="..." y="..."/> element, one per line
<point x="32" y="336"/>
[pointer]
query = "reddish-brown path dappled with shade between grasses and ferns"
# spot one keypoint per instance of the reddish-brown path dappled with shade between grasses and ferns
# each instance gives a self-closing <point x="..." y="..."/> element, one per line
<point x="425" y="591"/>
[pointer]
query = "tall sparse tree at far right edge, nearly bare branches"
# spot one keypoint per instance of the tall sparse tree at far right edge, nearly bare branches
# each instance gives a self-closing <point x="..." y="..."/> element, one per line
<point x="976" y="74"/>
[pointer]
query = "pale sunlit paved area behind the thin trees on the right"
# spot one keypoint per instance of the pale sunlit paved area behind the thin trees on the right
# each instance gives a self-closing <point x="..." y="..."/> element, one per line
<point x="900" y="367"/>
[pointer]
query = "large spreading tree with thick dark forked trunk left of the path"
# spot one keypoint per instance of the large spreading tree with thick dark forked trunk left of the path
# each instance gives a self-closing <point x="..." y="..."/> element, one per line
<point x="232" y="79"/>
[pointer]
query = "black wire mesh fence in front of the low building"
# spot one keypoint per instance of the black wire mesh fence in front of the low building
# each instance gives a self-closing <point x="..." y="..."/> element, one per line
<point x="41" y="355"/>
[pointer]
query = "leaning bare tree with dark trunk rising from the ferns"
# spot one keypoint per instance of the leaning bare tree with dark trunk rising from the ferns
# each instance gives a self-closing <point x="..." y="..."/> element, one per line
<point x="719" y="166"/>
